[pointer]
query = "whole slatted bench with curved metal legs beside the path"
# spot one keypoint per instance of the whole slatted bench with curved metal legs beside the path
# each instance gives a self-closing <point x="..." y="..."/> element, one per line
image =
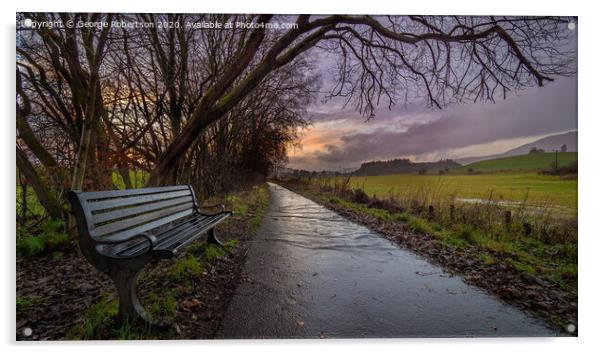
<point x="121" y="231"/>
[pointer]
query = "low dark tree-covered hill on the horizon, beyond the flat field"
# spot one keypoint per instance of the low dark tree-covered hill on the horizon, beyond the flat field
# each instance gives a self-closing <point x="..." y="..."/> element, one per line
<point x="378" y="168"/>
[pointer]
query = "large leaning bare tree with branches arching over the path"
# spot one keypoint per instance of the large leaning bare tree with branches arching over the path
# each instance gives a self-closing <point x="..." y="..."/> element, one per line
<point x="447" y="58"/>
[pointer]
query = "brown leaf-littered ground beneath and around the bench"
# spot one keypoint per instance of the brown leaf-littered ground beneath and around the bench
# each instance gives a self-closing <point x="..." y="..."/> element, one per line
<point x="58" y="291"/>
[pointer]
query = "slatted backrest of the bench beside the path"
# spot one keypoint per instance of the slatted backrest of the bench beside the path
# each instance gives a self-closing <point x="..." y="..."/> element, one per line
<point x="119" y="215"/>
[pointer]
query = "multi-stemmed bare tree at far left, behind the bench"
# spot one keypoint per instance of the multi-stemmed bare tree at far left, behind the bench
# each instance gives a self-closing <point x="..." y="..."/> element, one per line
<point x="74" y="58"/>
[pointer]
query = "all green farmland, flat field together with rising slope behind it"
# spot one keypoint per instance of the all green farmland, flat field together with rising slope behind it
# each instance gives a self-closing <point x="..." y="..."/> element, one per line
<point x="510" y="179"/>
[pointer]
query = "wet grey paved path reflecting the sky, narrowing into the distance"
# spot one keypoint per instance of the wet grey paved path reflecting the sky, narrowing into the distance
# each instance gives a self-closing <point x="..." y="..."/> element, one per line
<point x="315" y="273"/>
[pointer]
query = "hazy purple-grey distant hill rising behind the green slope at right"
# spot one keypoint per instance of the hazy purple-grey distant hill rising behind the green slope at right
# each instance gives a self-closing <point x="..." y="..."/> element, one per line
<point x="548" y="144"/>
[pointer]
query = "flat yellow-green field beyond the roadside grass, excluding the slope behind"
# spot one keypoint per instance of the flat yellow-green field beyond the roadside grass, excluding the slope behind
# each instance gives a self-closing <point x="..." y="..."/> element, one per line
<point x="536" y="189"/>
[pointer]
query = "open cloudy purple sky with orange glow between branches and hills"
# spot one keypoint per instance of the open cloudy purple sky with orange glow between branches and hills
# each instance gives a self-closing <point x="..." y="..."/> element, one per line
<point x="339" y="138"/>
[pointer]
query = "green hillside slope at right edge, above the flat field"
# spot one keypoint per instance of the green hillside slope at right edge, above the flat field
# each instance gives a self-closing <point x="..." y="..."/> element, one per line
<point x="524" y="162"/>
